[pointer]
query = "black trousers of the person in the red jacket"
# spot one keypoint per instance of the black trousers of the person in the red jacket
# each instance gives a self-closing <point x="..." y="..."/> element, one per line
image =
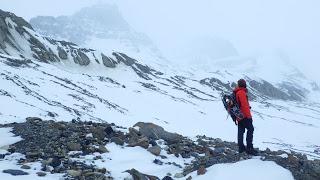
<point x="242" y="126"/>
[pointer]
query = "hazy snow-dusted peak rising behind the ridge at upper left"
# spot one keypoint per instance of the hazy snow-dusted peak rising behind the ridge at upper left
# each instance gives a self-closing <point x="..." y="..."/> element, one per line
<point x="101" y="27"/>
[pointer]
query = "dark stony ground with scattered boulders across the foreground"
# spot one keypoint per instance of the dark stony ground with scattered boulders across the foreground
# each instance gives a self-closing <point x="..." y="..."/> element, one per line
<point x="57" y="144"/>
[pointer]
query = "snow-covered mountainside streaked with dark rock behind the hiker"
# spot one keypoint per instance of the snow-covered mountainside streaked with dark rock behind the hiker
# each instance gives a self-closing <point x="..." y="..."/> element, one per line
<point x="58" y="80"/>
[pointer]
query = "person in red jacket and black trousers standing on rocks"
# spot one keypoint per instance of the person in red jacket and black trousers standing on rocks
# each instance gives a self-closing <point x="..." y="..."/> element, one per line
<point x="246" y="123"/>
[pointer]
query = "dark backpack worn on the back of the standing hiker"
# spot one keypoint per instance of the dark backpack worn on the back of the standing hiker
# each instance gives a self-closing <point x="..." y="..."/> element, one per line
<point x="232" y="106"/>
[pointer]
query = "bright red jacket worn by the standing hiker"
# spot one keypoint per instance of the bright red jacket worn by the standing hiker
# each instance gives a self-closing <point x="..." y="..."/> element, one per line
<point x="242" y="99"/>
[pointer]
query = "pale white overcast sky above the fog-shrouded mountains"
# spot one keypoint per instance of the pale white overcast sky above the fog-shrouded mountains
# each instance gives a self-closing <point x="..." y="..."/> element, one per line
<point x="251" y="25"/>
